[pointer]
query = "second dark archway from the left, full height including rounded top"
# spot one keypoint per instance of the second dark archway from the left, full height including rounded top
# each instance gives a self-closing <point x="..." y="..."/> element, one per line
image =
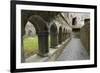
<point x="53" y="36"/>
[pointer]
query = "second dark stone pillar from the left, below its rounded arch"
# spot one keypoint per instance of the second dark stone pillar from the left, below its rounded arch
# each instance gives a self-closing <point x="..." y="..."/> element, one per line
<point x="54" y="40"/>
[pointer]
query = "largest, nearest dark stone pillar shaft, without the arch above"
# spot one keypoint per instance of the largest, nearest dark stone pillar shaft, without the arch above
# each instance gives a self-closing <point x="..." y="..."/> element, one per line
<point x="43" y="43"/>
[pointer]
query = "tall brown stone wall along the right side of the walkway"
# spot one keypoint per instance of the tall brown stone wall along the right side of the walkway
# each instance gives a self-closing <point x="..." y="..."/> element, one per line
<point x="85" y="35"/>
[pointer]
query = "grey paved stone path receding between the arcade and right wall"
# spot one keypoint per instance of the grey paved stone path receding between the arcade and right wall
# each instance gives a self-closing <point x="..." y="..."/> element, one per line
<point x="74" y="51"/>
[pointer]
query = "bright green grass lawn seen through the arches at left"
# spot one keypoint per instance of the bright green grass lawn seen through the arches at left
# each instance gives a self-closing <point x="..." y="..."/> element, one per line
<point x="31" y="45"/>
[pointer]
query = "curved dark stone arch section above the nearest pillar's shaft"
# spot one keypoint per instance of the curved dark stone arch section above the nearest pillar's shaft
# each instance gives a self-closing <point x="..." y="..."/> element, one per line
<point x="39" y="23"/>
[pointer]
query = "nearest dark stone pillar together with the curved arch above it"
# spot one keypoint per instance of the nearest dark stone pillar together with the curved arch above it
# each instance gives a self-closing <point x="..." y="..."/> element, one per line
<point x="42" y="33"/>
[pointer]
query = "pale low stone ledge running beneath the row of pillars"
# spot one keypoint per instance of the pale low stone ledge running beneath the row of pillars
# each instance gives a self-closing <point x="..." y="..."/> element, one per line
<point x="52" y="56"/>
